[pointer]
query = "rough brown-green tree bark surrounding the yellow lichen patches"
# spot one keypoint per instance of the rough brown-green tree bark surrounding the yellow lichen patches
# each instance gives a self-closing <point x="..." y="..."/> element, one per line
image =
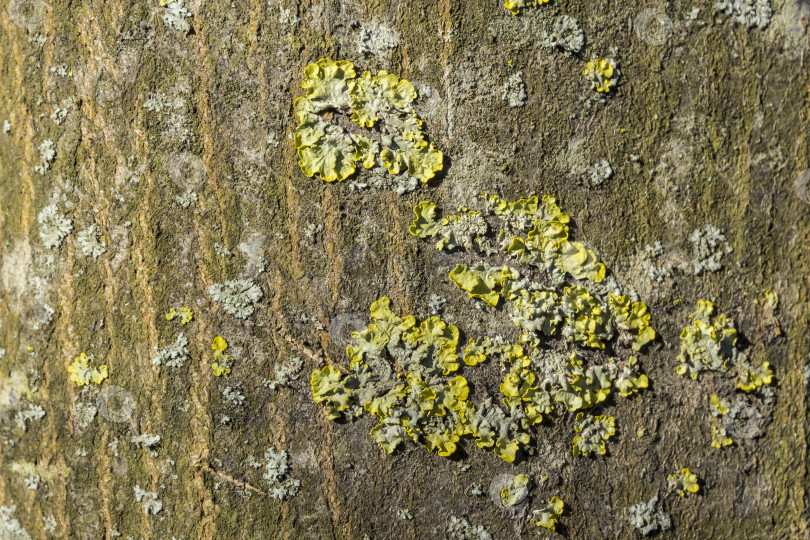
<point x="178" y="146"/>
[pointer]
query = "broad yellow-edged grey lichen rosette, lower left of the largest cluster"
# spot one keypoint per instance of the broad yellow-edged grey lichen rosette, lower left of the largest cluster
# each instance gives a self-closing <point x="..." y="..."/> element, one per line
<point x="419" y="401"/>
